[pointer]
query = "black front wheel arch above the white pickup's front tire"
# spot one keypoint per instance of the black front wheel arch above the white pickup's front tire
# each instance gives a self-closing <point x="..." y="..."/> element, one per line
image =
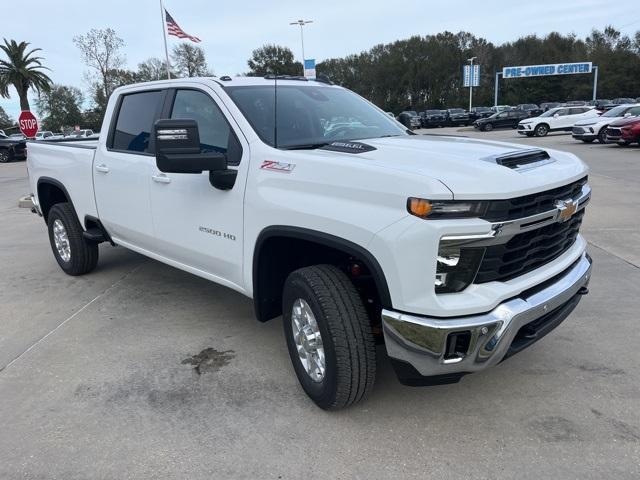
<point x="279" y="250"/>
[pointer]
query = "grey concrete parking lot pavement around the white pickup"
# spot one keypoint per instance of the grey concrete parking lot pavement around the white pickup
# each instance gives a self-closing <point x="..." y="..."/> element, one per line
<point x="139" y="370"/>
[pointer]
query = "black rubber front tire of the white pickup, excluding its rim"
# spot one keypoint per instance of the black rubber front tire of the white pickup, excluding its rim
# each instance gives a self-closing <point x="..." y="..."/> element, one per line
<point x="343" y="323"/>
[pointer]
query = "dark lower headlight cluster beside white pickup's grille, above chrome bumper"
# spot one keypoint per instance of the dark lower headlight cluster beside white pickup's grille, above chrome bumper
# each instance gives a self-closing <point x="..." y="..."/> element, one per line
<point x="456" y="267"/>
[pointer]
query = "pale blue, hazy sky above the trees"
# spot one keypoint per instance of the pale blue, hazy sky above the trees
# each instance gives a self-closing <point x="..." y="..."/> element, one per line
<point x="230" y="31"/>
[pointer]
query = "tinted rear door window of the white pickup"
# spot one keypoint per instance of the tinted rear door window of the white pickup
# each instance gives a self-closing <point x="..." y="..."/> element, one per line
<point x="134" y="124"/>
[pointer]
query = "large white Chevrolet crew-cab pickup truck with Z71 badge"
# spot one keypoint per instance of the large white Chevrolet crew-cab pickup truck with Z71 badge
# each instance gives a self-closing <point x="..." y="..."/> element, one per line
<point x="455" y="253"/>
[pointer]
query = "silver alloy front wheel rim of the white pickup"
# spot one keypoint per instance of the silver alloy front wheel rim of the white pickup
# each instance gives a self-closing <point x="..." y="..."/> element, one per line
<point x="306" y="336"/>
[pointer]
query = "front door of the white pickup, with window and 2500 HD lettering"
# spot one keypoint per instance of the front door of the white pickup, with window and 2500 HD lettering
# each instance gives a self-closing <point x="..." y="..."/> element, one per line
<point x="196" y="224"/>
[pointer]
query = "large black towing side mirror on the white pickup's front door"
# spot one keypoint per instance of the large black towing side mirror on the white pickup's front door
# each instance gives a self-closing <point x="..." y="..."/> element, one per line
<point x="178" y="149"/>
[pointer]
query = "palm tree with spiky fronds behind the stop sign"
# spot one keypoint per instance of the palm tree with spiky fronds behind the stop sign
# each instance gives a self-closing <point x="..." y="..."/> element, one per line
<point x="22" y="70"/>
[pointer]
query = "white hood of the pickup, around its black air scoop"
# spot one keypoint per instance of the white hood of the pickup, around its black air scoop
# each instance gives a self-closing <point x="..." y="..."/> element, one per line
<point x="467" y="166"/>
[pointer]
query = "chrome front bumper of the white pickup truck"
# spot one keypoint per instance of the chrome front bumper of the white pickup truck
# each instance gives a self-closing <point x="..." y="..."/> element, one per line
<point x="419" y="346"/>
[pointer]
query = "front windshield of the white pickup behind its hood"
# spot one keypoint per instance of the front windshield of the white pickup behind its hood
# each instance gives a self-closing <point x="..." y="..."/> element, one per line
<point x="310" y="116"/>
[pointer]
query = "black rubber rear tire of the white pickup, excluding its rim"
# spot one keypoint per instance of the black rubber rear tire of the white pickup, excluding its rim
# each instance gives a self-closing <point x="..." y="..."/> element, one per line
<point x="83" y="254"/>
